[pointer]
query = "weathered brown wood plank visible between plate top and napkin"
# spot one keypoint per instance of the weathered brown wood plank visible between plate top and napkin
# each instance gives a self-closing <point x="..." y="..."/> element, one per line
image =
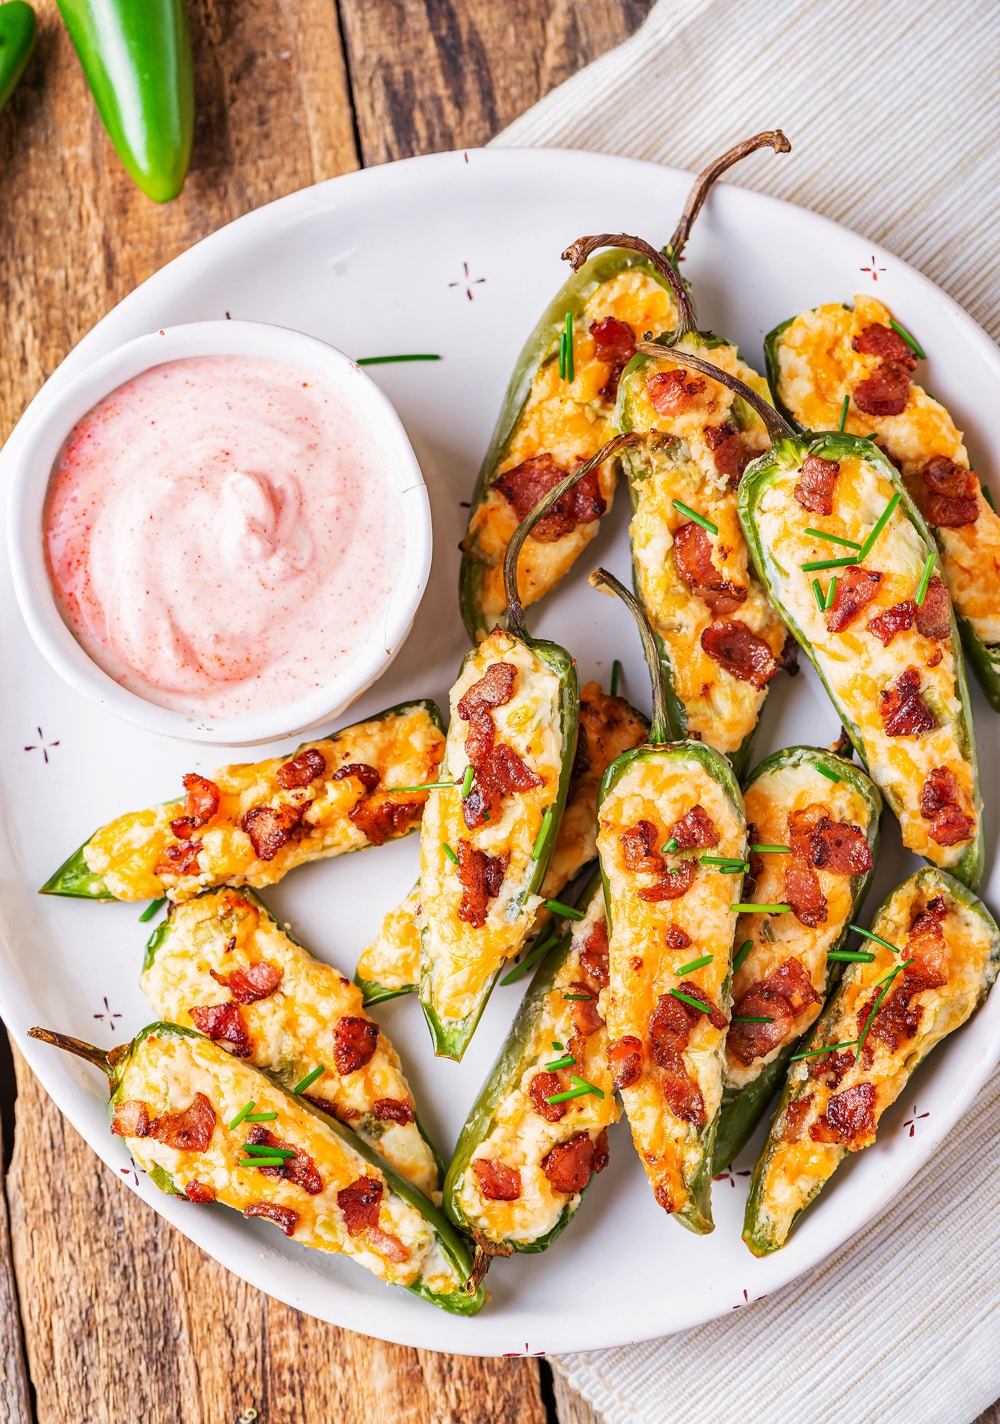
<point x="432" y="75"/>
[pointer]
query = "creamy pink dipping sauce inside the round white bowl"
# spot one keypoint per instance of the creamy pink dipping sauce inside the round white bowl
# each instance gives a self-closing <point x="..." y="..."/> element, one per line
<point x="222" y="536"/>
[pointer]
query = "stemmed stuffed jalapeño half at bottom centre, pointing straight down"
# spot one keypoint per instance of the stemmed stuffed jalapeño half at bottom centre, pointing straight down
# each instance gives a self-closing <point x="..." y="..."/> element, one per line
<point x="673" y="844"/>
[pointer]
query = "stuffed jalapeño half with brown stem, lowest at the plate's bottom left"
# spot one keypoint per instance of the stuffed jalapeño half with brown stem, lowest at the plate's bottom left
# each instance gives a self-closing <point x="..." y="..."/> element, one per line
<point x="212" y="1129"/>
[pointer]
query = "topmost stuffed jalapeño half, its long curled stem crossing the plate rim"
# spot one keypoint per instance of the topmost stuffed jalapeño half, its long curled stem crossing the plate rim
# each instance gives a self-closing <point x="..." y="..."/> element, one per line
<point x="559" y="412"/>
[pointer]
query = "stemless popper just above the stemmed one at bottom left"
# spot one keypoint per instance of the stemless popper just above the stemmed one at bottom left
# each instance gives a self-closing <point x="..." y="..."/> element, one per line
<point x="223" y="965"/>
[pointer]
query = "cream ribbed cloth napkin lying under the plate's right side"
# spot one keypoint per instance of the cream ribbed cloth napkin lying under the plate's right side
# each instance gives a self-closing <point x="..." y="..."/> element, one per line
<point x="892" y="109"/>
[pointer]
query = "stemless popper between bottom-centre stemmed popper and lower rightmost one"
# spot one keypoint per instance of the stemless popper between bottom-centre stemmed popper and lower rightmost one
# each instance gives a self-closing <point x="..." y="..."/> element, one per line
<point x="813" y="829"/>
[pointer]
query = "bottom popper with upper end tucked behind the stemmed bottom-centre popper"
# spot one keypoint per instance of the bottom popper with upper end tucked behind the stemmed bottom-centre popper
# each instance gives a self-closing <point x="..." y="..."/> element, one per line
<point x="539" y="1130"/>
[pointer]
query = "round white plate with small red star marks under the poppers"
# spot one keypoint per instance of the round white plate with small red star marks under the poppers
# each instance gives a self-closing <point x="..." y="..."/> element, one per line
<point x="459" y="254"/>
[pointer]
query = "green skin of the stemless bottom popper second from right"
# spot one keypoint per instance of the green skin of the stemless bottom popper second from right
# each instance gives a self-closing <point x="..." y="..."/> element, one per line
<point x="743" y="1109"/>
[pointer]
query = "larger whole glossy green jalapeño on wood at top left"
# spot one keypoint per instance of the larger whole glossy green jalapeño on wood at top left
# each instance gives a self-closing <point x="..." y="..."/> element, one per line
<point x="137" y="59"/>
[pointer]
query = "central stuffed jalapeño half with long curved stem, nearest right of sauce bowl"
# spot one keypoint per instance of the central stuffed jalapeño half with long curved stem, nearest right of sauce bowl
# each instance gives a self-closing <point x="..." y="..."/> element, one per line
<point x="489" y="829"/>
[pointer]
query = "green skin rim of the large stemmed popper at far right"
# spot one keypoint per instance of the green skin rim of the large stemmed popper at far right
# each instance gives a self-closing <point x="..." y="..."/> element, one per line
<point x="790" y="454"/>
